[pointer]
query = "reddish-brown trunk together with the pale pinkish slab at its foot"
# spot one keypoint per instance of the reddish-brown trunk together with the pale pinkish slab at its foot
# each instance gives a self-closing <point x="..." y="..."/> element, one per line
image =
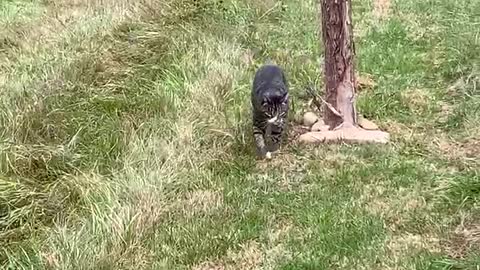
<point x="339" y="110"/>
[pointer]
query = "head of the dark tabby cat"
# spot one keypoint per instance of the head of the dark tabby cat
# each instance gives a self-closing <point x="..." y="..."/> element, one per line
<point x="275" y="106"/>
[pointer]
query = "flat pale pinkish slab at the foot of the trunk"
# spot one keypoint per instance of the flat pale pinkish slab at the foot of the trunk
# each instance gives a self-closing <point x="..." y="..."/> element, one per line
<point x="345" y="133"/>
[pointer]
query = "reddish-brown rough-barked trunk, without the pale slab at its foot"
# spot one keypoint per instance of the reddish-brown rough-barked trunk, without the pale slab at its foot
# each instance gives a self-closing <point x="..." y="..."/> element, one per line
<point x="339" y="62"/>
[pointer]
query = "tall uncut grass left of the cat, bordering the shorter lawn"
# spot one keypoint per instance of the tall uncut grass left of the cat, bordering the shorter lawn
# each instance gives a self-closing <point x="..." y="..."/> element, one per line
<point x="103" y="130"/>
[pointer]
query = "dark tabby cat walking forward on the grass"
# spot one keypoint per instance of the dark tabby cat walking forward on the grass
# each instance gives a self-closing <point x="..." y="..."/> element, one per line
<point x="269" y="108"/>
